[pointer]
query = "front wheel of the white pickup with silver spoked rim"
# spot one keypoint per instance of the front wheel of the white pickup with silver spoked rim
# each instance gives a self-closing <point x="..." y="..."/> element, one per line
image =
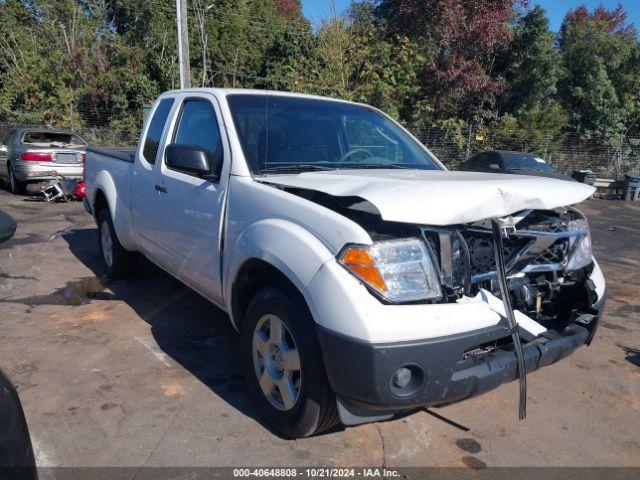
<point x="283" y="366"/>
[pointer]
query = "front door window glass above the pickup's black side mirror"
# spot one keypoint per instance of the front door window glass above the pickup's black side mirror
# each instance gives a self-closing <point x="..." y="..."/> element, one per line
<point x="198" y="126"/>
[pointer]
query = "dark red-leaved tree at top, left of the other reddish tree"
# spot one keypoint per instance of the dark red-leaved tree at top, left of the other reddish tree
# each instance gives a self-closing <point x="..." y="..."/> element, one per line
<point x="459" y="41"/>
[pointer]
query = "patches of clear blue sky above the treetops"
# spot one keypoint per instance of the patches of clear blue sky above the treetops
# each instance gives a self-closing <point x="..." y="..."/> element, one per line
<point x="315" y="10"/>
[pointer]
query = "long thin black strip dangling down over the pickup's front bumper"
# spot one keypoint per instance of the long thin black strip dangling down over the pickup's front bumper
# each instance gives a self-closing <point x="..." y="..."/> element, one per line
<point x="501" y="229"/>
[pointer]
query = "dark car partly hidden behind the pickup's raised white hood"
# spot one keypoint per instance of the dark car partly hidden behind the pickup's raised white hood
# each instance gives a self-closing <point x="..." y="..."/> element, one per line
<point x="515" y="163"/>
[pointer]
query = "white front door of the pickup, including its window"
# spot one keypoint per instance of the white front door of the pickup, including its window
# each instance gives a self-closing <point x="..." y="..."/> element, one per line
<point x="191" y="206"/>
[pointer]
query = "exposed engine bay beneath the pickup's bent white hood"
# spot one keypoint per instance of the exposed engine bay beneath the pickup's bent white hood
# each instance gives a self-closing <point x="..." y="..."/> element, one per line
<point x="545" y="281"/>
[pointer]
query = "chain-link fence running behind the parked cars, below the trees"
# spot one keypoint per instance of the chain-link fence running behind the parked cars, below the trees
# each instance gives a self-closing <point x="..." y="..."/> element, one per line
<point x="610" y="158"/>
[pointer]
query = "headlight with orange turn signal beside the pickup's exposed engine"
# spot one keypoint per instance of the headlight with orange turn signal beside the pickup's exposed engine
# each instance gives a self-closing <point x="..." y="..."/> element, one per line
<point x="397" y="270"/>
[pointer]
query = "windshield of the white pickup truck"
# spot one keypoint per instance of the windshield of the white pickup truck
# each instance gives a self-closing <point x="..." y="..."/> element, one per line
<point x="282" y="134"/>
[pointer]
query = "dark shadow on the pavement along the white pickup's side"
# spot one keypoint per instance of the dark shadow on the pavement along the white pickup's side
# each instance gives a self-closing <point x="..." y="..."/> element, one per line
<point x="188" y="328"/>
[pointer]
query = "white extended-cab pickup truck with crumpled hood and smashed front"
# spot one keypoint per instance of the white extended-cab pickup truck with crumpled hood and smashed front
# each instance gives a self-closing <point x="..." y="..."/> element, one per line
<point x="364" y="278"/>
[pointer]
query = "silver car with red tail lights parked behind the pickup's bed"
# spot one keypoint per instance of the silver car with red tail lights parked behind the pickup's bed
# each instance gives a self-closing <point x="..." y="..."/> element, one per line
<point x="37" y="154"/>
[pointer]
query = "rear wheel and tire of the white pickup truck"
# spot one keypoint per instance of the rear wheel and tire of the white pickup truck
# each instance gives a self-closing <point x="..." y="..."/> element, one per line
<point x="119" y="263"/>
